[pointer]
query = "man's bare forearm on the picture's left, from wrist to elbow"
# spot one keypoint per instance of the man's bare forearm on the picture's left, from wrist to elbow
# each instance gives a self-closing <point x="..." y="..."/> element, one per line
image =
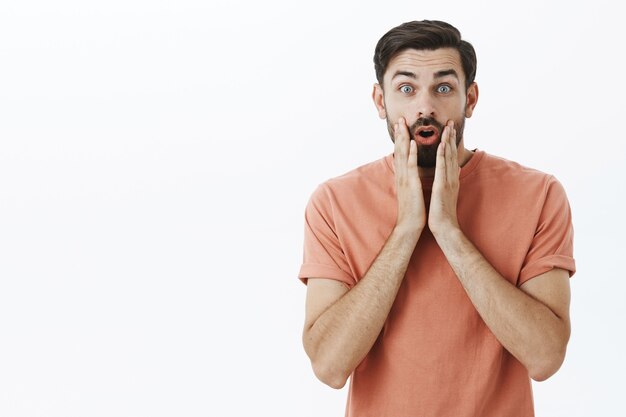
<point x="341" y="337"/>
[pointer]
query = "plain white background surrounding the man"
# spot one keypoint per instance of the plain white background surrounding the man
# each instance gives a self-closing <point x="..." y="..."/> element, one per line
<point x="156" y="158"/>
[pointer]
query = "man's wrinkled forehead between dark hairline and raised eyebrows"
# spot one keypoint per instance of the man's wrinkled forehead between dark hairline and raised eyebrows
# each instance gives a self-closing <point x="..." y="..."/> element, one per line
<point x="425" y="62"/>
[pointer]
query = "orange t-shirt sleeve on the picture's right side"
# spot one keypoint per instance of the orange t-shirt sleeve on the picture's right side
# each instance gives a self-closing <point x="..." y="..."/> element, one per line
<point x="553" y="242"/>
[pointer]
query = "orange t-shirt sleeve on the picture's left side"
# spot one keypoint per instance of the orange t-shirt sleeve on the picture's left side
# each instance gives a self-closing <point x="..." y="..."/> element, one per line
<point x="323" y="255"/>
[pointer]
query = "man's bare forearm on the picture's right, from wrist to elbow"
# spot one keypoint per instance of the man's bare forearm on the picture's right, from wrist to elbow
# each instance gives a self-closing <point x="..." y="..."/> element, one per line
<point x="527" y="328"/>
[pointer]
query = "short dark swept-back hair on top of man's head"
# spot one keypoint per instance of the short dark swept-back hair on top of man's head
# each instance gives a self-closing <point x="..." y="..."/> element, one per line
<point x="427" y="34"/>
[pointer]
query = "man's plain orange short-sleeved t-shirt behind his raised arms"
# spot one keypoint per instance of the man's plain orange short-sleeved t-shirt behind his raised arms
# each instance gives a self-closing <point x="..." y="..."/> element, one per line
<point x="435" y="356"/>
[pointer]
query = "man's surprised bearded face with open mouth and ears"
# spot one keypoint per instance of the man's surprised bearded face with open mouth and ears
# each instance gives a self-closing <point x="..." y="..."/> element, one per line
<point x="427" y="88"/>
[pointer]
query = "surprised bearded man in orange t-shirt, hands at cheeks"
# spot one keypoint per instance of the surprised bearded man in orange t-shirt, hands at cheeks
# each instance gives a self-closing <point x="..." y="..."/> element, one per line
<point x="437" y="277"/>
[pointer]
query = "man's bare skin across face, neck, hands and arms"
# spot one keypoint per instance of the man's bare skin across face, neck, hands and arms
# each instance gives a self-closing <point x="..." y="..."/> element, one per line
<point x="531" y="322"/>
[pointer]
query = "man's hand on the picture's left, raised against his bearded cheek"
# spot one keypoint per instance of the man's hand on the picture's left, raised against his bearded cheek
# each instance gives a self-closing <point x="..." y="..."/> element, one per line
<point x="411" y="209"/>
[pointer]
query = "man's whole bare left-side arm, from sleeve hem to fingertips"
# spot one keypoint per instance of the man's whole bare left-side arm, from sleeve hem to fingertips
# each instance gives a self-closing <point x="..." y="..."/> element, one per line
<point x="342" y="325"/>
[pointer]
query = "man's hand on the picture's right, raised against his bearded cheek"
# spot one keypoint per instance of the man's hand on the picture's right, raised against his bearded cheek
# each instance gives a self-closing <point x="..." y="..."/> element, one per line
<point x="443" y="216"/>
